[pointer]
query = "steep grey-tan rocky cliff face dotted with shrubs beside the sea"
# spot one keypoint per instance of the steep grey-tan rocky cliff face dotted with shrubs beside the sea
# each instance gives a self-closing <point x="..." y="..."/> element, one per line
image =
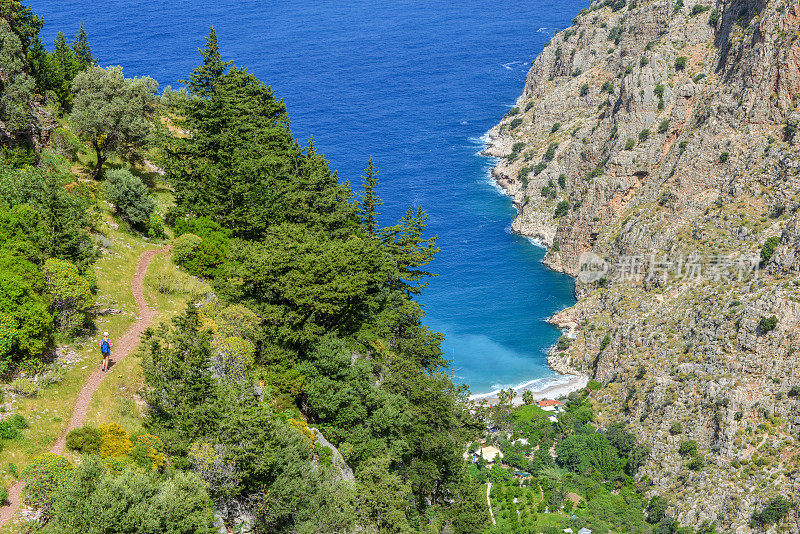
<point x="662" y="138"/>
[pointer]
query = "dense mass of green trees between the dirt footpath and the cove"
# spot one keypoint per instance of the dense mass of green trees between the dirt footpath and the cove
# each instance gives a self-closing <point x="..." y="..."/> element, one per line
<point x="331" y="332"/>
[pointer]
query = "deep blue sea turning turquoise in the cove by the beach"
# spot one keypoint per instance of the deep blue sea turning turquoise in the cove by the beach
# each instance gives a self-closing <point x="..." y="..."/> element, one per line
<point x="415" y="85"/>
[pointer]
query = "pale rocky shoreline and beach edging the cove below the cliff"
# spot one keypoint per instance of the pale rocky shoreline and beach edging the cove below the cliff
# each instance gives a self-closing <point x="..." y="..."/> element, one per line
<point x="575" y="381"/>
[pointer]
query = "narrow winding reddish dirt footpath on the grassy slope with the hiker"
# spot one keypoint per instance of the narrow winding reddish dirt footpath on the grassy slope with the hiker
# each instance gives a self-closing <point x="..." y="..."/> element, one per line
<point x="124" y="346"/>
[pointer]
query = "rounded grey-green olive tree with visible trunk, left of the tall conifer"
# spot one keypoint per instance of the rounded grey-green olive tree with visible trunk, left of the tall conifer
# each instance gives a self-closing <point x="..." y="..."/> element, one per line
<point x="111" y="112"/>
